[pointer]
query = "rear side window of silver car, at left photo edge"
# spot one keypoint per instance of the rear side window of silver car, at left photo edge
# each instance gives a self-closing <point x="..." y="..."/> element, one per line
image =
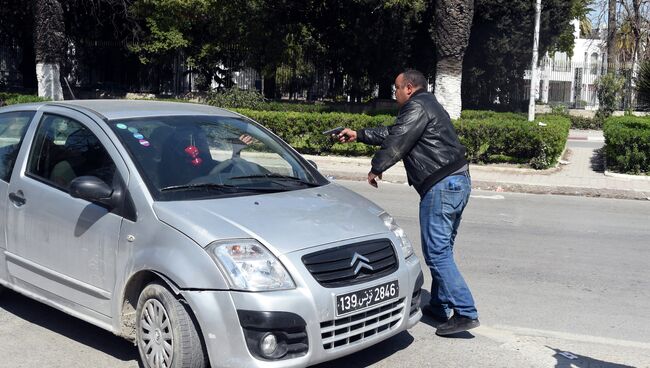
<point x="13" y="126"/>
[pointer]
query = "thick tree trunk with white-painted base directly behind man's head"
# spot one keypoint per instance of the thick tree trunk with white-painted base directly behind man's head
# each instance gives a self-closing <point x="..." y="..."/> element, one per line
<point x="453" y="22"/>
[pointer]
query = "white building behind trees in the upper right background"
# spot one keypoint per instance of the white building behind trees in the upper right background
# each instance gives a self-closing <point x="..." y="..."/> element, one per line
<point x="571" y="81"/>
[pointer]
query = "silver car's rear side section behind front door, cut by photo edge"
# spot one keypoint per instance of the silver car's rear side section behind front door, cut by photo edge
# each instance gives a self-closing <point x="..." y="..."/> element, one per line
<point x="13" y="126"/>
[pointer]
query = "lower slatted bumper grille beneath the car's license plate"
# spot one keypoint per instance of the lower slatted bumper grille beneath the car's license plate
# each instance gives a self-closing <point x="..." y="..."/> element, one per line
<point x="357" y="327"/>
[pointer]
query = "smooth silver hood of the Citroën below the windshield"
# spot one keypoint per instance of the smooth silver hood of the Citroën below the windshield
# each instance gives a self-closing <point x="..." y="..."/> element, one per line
<point x="285" y="221"/>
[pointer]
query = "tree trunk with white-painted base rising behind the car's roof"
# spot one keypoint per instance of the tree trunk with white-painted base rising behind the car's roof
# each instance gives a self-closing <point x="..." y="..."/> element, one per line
<point x="49" y="47"/>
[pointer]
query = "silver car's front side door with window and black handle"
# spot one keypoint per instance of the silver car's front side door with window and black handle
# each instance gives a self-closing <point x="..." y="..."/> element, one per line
<point x="60" y="247"/>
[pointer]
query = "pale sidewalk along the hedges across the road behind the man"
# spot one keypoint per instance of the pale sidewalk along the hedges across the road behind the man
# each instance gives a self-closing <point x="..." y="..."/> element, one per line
<point x="582" y="173"/>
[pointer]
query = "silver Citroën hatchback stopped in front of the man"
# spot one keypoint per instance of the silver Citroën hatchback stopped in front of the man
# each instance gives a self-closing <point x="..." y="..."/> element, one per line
<point x="196" y="233"/>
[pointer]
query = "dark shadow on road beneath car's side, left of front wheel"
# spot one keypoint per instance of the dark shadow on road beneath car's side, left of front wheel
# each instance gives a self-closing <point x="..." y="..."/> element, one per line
<point x="68" y="326"/>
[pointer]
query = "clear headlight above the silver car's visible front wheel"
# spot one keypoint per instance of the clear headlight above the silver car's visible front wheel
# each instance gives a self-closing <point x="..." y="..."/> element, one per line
<point x="250" y="266"/>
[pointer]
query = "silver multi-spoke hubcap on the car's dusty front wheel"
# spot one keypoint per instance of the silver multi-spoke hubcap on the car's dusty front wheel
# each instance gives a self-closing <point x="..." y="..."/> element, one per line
<point x="155" y="336"/>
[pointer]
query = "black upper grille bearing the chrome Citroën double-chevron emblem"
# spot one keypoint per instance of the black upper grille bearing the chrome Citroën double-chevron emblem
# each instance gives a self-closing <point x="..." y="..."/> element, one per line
<point x="352" y="263"/>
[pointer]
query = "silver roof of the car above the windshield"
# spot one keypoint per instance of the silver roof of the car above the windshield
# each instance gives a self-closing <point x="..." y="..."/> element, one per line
<point x="124" y="109"/>
